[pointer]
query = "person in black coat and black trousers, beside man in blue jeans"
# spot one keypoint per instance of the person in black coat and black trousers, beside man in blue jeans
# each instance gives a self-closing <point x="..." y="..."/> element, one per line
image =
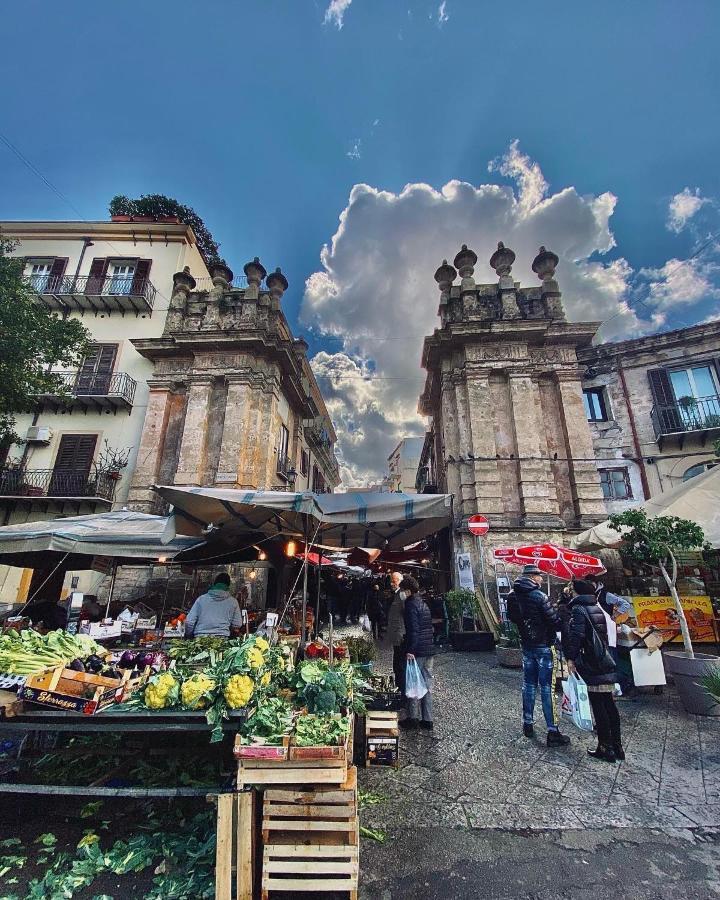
<point x="586" y="615"/>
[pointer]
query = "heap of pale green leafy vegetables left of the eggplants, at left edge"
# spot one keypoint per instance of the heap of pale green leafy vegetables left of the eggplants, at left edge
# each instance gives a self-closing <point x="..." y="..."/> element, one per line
<point x="28" y="652"/>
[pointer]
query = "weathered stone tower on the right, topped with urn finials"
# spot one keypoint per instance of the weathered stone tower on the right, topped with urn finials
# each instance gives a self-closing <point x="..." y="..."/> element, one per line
<point x="509" y="435"/>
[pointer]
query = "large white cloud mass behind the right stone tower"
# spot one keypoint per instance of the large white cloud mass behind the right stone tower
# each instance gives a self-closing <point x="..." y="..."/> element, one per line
<point x="375" y="291"/>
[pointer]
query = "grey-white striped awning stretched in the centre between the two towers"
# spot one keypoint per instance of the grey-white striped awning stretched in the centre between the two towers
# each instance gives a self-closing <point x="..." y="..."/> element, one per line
<point x="383" y="520"/>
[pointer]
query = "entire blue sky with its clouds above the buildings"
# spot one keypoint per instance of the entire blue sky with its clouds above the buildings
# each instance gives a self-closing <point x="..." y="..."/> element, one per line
<point x="263" y="116"/>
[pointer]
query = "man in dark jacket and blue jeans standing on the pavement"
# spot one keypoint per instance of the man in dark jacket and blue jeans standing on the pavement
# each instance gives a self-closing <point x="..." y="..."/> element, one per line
<point x="538" y="622"/>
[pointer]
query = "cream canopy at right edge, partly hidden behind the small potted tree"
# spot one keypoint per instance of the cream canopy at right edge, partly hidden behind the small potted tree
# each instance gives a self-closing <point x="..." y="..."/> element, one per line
<point x="697" y="499"/>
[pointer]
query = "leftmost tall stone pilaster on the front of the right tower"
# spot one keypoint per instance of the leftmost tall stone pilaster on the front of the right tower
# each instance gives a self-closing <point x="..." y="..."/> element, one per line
<point x="481" y="416"/>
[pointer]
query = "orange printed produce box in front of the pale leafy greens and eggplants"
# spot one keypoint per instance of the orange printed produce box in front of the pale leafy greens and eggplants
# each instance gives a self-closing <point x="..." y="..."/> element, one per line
<point x="81" y="692"/>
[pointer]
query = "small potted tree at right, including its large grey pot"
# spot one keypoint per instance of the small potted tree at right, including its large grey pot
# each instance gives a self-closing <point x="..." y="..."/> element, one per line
<point x="657" y="542"/>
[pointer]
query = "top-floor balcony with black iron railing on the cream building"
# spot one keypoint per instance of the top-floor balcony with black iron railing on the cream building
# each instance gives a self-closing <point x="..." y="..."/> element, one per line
<point x="90" y="294"/>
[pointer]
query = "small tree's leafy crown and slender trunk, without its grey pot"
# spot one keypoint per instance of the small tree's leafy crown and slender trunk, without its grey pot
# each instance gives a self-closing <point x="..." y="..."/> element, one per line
<point x="657" y="542"/>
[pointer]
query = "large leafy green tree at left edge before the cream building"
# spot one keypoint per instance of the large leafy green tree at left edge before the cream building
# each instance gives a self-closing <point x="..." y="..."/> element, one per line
<point x="32" y="341"/>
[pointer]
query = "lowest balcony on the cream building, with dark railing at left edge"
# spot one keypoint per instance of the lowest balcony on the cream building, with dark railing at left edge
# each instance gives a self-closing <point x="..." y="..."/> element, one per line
<point x="57" y="485"/>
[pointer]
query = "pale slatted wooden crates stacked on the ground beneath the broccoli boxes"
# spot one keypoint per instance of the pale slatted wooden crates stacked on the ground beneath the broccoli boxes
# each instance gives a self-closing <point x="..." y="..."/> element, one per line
<point x="311" y="839"/>
